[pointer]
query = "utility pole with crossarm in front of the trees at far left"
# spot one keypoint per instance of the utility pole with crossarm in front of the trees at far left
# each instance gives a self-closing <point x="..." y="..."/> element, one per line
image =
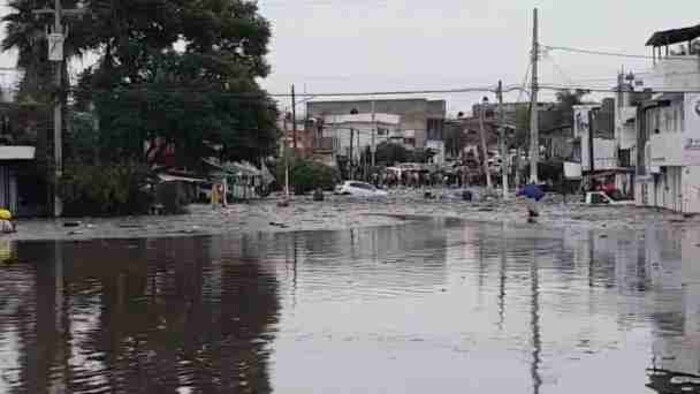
<point x="56" y="39"/>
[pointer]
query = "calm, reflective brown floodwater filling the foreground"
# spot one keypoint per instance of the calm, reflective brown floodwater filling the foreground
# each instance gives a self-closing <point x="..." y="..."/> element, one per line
<point x="419" y="306"/>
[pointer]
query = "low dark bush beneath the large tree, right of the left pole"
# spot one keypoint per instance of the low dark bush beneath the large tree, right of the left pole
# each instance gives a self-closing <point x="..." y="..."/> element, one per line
<point x="92" y="190"/>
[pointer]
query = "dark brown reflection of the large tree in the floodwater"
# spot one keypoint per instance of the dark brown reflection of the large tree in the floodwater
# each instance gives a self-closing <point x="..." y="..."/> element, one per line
<point x="138" y="316"/>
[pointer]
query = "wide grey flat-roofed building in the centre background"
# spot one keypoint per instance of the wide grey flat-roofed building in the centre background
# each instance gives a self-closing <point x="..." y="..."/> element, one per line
<point x="420" y="121"/>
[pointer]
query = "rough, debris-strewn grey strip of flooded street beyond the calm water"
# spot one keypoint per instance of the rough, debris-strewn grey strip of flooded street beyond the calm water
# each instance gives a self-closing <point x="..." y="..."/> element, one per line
<point x="341" y="212"/>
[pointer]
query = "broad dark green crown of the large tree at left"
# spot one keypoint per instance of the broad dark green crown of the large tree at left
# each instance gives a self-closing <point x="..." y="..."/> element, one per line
<point x="202" y="95"/>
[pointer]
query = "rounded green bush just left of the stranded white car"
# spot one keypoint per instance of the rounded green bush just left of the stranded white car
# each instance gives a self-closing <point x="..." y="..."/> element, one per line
<point x="307" y="175"/>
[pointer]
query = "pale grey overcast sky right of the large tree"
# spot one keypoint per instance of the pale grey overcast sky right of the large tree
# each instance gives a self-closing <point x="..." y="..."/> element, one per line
<point x="364" y="45"/>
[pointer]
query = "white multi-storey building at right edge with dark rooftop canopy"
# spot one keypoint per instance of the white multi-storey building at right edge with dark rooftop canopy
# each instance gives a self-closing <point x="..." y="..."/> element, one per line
<point x="668" y="128"/>
